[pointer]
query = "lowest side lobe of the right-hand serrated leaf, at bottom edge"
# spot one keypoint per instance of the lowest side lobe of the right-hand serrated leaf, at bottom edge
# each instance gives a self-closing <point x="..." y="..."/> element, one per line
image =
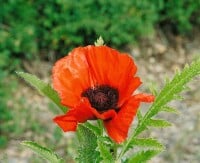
<point x="143" y="156"/>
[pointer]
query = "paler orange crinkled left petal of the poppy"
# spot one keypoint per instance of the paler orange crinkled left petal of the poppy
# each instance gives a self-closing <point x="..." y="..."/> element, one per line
<point x="71" y="76"/>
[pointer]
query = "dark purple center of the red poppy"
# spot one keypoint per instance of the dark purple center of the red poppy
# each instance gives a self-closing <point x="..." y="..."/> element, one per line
<point x="102" y="97"/>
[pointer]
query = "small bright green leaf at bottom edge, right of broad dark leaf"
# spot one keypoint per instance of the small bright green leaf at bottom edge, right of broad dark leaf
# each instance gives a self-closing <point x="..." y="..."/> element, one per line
<point x="105" y="152"/>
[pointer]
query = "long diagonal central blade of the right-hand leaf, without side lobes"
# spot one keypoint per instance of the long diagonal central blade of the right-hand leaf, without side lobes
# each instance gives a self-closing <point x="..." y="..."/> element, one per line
<point x="167" y="94"/>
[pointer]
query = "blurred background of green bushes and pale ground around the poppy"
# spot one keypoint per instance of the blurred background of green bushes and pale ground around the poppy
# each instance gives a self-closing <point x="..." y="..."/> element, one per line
<point x="161" y="35"/>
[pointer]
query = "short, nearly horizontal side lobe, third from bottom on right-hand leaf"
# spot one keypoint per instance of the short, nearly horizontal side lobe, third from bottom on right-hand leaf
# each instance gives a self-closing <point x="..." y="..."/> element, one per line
<point x="158" y="123"/>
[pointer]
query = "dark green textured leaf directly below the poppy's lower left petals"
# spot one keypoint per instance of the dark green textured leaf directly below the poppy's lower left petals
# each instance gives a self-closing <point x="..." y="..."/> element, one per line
<point x="87" y="145"/>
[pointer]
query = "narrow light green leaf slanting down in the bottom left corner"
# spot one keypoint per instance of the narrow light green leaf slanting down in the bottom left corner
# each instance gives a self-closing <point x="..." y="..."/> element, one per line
<point x="43" y="152"/>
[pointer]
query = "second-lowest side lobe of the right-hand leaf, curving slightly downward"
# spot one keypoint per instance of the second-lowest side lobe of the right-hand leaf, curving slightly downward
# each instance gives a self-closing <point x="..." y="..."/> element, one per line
<point x="146" y="142"/>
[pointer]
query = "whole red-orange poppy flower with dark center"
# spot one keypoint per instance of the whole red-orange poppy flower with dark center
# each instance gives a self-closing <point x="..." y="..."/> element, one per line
<point x="98" y="82"/>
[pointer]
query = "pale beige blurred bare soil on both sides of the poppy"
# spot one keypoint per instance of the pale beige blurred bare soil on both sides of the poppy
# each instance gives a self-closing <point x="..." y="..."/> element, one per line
<point x="156" y="58"/>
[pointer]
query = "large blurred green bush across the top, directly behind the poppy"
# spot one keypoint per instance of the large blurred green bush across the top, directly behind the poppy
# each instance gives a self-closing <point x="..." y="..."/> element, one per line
<point x="32" y="28"/>
